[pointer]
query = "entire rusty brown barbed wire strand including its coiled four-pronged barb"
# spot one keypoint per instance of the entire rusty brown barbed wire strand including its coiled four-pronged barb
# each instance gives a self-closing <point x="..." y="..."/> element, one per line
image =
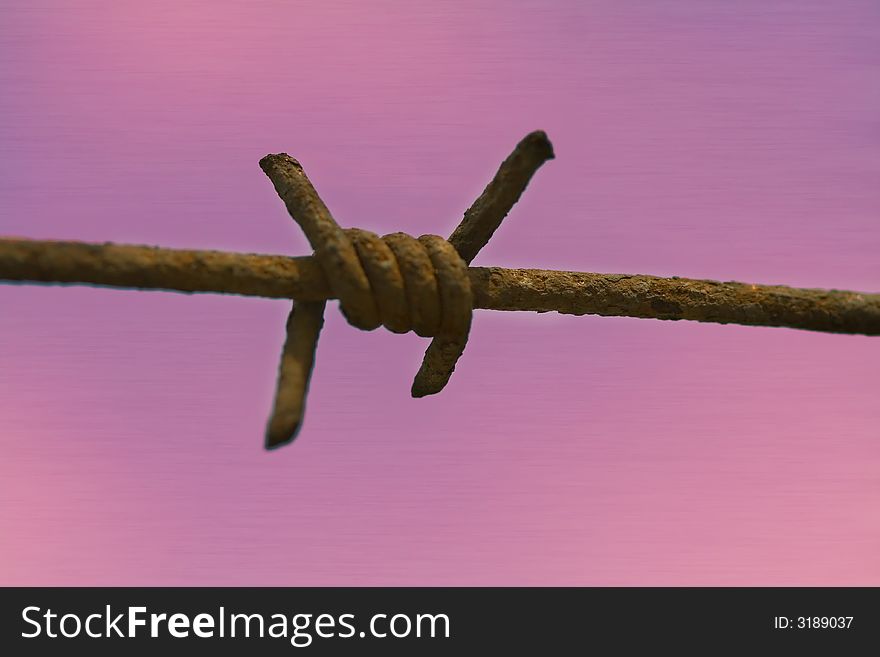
<point x="423" y="284"/>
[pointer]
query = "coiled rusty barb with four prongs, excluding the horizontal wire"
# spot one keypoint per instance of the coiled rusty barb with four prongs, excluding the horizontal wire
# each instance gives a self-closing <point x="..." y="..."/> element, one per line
<point x="395" y="281"/>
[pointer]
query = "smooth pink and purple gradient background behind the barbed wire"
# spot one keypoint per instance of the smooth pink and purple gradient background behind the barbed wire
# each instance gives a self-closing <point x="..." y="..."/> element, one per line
<point x="706" y="139"/>
